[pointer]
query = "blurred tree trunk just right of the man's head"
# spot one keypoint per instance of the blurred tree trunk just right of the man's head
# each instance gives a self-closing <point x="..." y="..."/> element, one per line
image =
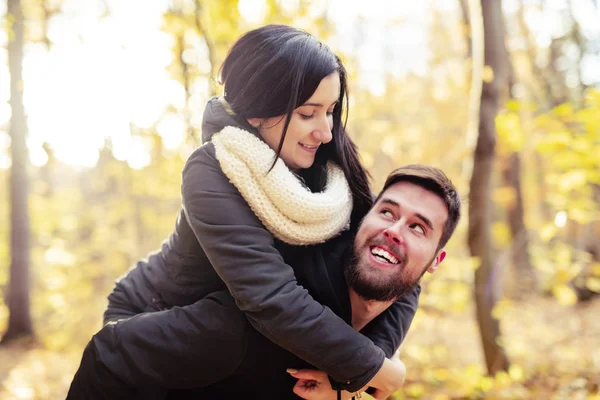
<point x="480" y="207"/>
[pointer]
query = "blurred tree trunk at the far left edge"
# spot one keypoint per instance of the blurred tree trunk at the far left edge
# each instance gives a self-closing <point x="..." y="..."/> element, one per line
<point x="19" y="321"/>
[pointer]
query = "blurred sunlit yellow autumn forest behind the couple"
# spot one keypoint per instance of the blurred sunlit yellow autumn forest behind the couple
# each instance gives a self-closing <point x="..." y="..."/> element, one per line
<point x="114" y="93"/>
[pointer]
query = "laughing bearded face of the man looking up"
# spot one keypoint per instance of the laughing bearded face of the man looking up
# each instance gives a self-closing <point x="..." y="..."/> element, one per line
<point x="397" y="242"/>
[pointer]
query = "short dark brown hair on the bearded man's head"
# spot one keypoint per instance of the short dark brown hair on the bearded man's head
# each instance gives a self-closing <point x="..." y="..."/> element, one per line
<point x="434" y="180"/>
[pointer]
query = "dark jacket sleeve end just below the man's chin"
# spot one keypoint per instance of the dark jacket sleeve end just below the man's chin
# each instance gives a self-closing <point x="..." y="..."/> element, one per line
<point x="389" y="329"/>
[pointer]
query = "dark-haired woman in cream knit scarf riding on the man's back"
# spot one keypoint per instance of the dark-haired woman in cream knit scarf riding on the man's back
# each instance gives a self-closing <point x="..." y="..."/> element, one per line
<point x="277" y="174"/>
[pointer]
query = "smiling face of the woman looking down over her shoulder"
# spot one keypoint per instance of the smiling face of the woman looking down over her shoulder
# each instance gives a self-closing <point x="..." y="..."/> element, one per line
<point x="310" y="125"/>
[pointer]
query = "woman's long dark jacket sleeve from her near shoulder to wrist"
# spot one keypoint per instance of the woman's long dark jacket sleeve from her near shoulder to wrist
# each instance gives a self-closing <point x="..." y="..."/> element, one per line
<point x="243" y="254"/>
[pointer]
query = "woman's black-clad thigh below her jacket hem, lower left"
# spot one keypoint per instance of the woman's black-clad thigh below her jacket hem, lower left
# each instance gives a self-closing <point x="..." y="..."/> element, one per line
<point x="184" y="347"/>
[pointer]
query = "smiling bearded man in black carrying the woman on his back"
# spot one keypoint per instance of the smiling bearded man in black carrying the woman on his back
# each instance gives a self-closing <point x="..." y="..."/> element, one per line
<point x="357" y="274"/>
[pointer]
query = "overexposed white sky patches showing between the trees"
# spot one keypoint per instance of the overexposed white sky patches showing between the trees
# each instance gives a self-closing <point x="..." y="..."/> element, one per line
<point x="105" y="70"/>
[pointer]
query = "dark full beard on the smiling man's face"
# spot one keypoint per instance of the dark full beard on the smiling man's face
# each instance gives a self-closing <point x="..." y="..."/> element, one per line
<point x="371" y="284"/>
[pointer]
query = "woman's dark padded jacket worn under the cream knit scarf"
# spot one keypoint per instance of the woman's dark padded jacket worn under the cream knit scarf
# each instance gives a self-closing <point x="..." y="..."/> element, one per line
<point x="219" y="244"/>
